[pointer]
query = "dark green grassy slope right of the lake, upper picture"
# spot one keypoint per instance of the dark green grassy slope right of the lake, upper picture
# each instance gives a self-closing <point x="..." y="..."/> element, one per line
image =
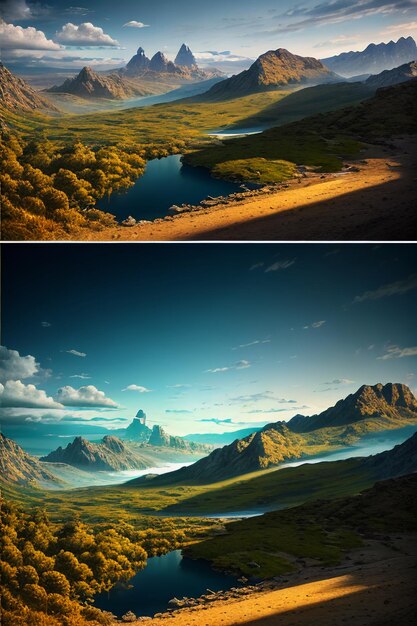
<point x="322" y="141"/>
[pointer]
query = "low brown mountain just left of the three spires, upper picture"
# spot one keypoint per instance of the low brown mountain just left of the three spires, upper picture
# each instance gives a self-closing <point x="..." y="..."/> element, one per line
<point x="90" y="84"/>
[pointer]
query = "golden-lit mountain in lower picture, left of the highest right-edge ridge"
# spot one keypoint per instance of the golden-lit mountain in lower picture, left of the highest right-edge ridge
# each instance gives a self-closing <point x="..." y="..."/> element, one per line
<point x="272" y="445"/>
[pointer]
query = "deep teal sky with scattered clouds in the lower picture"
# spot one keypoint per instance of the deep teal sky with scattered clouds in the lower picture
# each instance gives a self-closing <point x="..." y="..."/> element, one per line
<point x="203" y="338"/>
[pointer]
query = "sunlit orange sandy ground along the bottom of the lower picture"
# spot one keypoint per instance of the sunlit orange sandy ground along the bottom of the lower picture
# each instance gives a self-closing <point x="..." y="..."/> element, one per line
<point x="376" y="586"/>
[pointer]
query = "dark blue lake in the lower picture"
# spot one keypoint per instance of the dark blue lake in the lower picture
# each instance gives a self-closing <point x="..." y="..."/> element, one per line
<point x="163" y="578"/>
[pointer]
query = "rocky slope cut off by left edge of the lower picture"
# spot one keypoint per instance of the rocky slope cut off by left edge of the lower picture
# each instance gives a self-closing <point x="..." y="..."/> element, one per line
<point x="19" y="467"/>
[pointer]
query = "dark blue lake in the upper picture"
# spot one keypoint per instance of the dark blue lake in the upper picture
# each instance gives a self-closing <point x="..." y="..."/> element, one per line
<point x="165" y="182"/>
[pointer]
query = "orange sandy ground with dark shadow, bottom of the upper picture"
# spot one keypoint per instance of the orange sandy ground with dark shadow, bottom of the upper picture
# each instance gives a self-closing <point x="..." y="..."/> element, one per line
<point x="375" y="203"/>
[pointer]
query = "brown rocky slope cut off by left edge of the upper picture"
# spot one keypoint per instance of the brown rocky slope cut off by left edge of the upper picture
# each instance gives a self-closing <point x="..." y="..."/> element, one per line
<point x="17" y="95"/>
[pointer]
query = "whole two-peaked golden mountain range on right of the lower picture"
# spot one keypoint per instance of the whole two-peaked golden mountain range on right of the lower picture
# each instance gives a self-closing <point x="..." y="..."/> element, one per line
<point x="370" y="409"/>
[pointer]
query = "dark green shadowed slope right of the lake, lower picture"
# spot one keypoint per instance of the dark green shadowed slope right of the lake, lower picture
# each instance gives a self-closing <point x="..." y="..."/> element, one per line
<point x="322" y="530"/>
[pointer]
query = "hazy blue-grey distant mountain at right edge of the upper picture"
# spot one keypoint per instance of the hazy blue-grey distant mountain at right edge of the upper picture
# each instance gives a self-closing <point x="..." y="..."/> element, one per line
<point x="374" y="59"/>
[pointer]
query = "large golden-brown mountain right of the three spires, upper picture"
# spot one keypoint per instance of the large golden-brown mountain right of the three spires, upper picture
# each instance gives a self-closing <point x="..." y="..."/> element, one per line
<point x="274" y="69"/>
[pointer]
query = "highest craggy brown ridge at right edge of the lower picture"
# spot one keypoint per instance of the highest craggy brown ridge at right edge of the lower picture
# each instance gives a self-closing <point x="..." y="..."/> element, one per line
<point x="392" y="401"/>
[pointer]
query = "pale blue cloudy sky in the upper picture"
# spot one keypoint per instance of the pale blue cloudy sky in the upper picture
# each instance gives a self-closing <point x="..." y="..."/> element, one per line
<point x="58" y="34"/>
